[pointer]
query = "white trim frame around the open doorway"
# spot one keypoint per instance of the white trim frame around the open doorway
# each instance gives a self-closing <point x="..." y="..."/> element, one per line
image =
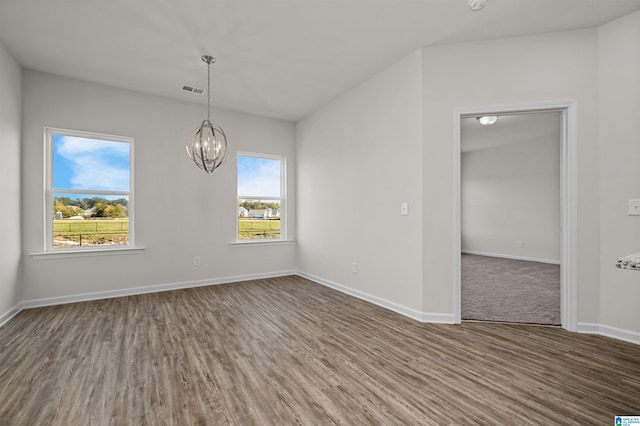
<point x="568" y="202"/>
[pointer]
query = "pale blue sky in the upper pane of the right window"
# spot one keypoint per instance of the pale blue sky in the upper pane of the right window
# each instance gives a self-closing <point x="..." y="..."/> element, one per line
<point x="258" y="177"/>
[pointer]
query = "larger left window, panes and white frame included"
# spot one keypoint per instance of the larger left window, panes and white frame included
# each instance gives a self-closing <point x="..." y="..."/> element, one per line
<point x="89" y="197"/>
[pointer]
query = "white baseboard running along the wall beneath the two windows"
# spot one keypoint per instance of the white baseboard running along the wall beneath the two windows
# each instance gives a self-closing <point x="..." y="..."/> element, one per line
<point x="85" y="297"/>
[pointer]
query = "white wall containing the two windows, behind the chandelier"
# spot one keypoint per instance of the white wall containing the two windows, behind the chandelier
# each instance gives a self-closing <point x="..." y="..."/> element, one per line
<point x="180" y="211"/>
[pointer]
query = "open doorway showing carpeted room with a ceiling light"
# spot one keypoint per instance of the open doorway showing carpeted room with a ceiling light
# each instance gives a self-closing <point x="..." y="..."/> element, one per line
<point x="510" y="218"/>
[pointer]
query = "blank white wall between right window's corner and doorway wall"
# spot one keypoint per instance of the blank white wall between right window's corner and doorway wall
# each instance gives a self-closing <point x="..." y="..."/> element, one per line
<point x="358" y="158"/>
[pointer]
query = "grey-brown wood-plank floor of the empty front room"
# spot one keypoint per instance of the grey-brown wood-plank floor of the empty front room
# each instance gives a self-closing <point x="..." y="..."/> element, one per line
<point x="287" y="351"/>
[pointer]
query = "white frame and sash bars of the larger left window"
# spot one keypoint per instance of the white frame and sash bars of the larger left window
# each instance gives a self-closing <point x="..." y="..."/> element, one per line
<point x="50" y="191"/>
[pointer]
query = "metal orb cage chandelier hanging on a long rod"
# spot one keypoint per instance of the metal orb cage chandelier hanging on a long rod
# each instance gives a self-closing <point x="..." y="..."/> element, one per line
<point x="207" y="144"/>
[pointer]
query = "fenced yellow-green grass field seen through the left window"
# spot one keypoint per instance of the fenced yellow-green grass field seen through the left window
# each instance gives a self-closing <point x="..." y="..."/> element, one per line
<point x="92" y="232"/>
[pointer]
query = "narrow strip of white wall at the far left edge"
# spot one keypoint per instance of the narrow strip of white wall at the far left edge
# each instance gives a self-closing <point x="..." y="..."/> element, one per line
<point x="10" y="238"/>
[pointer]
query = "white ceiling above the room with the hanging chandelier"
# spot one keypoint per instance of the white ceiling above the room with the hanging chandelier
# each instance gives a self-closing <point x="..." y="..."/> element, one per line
<point x="277" y="58"/>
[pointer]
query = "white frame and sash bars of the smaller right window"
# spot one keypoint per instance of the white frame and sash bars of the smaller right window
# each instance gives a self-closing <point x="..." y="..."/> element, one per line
<point x="282" y="199"/>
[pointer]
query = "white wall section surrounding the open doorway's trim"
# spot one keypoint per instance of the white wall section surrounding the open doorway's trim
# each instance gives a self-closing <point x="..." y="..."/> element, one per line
<point x="549" y="67"/>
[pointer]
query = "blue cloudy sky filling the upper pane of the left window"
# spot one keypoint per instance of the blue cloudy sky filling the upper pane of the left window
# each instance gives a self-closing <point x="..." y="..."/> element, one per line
<point x="90" y="164"/>
